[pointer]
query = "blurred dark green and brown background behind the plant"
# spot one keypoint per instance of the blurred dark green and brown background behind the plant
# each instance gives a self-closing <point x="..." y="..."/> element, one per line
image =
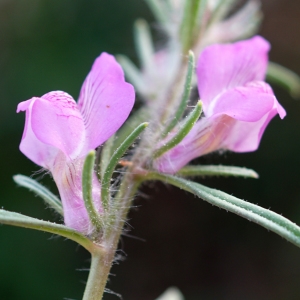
<point x="177" y="239"/>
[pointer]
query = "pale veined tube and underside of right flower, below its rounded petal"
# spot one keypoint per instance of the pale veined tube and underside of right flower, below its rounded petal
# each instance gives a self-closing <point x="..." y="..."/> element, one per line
<point x="215" y="133"/>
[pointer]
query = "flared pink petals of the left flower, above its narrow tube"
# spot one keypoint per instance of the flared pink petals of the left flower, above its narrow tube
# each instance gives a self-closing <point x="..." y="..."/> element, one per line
<point x="104" y="104"/>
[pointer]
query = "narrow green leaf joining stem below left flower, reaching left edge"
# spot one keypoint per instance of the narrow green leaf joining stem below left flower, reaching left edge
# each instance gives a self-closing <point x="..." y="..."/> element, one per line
<point x="16" y="219"/>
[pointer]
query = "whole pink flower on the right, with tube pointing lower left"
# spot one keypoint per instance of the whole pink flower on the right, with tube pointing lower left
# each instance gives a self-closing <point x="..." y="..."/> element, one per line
<point x="237" y="103"/>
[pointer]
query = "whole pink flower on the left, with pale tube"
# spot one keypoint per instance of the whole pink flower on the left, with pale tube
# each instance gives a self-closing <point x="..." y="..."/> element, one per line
<point x="59" y="133"/>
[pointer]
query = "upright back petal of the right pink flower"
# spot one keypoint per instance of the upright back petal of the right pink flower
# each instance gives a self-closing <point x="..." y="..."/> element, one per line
<point x="223" y="67"/>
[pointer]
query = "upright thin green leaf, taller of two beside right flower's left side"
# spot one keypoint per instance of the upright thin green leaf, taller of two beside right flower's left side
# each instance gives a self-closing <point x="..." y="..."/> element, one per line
<point x="185" y="96"/>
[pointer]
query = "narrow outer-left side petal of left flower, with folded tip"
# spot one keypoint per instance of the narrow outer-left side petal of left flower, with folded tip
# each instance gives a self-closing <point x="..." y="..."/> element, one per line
<point x="40" y="153"/>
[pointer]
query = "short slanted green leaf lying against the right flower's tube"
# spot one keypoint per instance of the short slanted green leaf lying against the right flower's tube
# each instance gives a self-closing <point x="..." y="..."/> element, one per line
<point x="182" y="132"/>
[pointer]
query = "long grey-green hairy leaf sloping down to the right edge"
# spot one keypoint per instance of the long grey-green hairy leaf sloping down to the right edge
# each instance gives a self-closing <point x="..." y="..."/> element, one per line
<point x="264" y="217"/>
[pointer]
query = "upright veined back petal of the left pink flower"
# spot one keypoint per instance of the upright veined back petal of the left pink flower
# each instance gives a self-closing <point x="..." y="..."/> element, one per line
<point x="105" y="100"/>
